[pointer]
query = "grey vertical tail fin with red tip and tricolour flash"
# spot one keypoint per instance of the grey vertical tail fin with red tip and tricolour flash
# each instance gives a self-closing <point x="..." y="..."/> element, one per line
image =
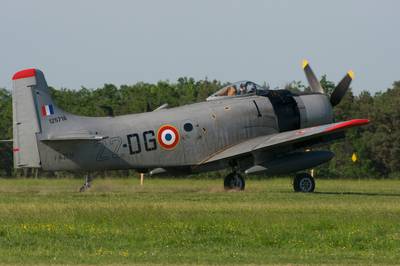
<point x="32" y="106"/>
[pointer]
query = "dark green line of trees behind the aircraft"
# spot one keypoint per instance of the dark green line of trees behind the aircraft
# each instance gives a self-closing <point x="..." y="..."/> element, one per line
<point x="376" y="146"/>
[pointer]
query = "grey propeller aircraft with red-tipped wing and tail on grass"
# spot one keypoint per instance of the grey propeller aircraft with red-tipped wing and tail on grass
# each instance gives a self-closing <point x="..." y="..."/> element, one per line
<point x="244" y="127"/>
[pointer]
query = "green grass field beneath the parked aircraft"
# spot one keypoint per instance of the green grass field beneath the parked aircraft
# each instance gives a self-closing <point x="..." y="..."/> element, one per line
<point x="183" y="221"/>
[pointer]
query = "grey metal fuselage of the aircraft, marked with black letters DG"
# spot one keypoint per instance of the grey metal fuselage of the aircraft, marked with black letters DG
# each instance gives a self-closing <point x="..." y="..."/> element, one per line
<point x="131" y="140"/>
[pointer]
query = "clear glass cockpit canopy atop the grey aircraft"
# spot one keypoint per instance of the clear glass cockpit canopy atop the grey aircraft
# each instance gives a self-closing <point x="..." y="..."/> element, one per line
<point x="240" y="88"/>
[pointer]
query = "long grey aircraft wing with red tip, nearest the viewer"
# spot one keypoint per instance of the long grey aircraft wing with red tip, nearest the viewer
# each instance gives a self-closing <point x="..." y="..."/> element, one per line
<point x="282" y="139"/>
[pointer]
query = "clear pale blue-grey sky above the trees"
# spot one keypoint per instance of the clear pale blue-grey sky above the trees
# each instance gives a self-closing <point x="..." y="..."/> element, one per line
<point x="92" y="42"/>
